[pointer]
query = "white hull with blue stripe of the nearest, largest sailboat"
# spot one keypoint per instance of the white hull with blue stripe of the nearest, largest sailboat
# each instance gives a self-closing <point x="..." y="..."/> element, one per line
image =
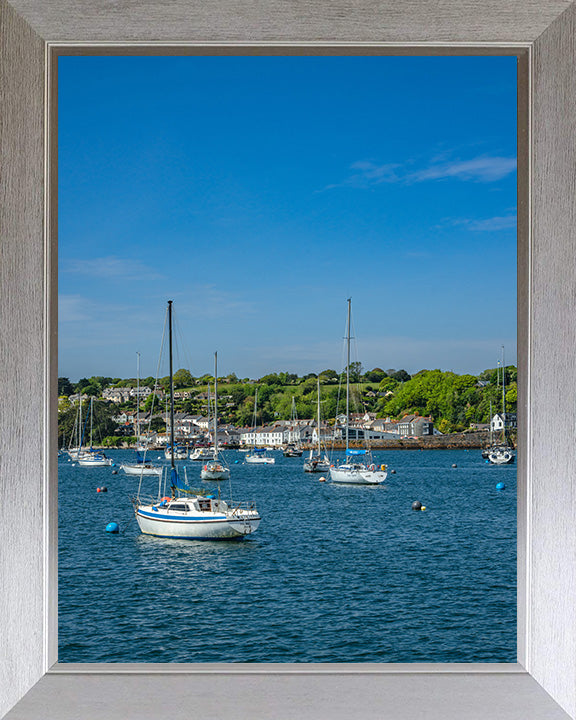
<point x="209" y="528"/>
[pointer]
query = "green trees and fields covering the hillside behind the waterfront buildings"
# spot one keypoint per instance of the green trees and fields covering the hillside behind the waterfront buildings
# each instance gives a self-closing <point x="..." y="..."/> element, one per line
<point x="453" y="401"/>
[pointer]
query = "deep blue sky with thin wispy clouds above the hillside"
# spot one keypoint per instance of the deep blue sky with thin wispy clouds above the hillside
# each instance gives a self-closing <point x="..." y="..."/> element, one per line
<point x="259" y="193"/>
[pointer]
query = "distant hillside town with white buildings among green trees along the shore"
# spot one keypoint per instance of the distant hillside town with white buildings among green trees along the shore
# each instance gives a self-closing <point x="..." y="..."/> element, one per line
<point x="389" y="406"/>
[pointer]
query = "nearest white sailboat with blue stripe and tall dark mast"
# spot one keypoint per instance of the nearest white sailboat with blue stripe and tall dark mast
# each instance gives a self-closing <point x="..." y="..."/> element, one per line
<point x="186" y="514"/>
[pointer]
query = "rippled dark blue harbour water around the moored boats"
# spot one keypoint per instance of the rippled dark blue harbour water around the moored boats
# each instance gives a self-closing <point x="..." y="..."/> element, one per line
<point x="333" y="574"/>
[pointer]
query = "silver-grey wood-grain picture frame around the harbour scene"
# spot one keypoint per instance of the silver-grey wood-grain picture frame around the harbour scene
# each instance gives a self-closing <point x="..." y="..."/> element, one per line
<point x="542" y="684"/>
